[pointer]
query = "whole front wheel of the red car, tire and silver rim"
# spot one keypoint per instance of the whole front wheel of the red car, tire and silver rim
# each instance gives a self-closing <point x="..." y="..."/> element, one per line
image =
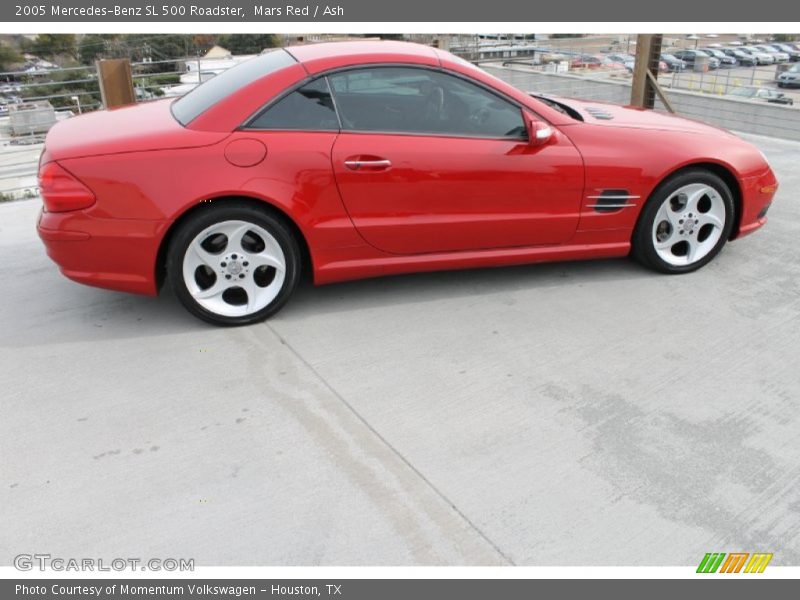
<point x="685" y="223"/>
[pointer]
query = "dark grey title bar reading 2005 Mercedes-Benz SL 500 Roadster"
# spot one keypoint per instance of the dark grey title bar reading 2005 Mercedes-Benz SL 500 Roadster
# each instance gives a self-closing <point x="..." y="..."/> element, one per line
<point x="443" y="11"/>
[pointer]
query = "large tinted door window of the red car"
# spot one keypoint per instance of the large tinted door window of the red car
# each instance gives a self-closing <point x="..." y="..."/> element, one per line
<point x="414" y="100"/>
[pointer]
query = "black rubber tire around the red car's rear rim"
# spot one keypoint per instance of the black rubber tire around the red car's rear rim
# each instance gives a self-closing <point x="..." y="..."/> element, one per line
<point x="232" y="210"/>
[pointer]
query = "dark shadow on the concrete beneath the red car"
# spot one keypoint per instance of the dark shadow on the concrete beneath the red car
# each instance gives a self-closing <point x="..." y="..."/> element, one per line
<point x="75" y="313"/>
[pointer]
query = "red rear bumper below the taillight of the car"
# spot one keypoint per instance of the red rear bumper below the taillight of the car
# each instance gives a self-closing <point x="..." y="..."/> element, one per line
<point x="117" y="254"/>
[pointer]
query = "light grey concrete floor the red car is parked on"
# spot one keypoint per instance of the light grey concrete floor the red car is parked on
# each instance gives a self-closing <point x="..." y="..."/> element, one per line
<point x="568" y="414"/>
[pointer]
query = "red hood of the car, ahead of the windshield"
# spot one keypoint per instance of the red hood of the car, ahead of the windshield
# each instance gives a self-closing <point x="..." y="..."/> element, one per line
<point x="605" y="114"/>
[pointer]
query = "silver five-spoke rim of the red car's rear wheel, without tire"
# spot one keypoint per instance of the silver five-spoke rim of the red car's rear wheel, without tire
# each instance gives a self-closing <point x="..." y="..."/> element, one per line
<point x="234" y="268"/>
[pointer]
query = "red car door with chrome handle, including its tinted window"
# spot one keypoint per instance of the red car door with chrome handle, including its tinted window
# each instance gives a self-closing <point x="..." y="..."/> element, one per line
<point x="430" y="162"/>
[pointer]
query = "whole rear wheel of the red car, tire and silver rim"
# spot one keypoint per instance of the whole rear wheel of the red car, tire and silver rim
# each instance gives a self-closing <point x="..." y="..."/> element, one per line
<point x="233" y="264"/>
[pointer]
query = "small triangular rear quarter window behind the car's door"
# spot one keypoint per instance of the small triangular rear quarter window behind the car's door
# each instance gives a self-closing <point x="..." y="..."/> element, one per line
<point x="307" y="108"/>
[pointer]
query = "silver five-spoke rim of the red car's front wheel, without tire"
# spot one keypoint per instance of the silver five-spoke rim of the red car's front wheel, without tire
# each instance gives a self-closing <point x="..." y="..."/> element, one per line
<point x="689" y="224"/>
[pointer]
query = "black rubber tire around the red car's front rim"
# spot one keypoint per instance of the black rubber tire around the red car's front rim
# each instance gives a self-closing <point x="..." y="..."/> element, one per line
<point x="643" y="247"/>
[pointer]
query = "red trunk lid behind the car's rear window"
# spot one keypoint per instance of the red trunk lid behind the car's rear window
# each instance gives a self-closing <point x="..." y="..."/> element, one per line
<point x="136" y="128"/>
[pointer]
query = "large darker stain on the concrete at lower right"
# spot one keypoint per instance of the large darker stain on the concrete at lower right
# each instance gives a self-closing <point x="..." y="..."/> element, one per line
<point x="684" y="469"/>
